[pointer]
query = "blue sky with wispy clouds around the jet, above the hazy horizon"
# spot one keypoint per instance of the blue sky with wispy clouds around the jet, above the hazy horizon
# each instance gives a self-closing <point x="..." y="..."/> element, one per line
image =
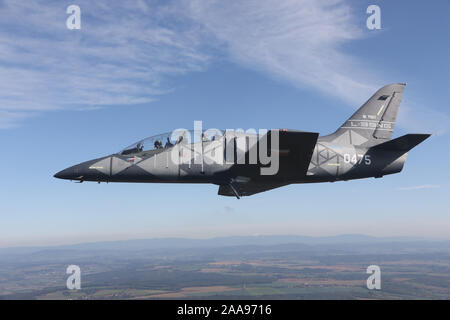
<point x="145" y="67"/>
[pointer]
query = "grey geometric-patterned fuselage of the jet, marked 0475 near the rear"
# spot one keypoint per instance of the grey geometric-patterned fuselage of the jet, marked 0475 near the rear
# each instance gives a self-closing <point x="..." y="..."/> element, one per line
<point x="329" y="162"/>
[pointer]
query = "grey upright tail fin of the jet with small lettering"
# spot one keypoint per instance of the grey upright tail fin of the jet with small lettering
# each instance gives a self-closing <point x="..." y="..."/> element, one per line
<point x="374" y="122"/>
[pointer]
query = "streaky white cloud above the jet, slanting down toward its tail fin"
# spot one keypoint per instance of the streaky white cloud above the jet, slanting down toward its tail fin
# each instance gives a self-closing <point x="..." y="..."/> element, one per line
<point x="297" y="41"/>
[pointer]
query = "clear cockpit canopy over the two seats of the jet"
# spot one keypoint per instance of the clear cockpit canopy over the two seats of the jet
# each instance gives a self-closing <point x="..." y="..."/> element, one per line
<point x="167" y="140"/>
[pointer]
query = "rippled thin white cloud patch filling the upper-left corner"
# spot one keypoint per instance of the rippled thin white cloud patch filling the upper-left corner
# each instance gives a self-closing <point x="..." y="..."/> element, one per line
<point x="122" y="55"/>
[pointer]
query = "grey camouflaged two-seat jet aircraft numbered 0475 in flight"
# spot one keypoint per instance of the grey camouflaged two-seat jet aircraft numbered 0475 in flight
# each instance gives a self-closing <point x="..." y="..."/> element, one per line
<point x="246" y="163"/>
